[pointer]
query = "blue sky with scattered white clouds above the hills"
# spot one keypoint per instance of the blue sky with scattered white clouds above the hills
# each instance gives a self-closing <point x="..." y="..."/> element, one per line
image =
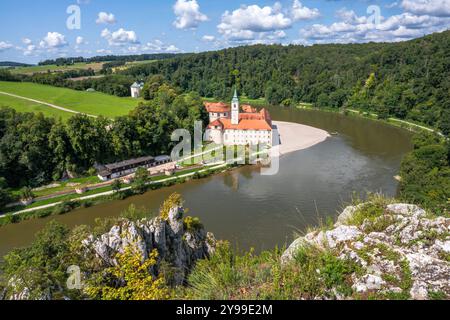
<point x="31" y="31"/>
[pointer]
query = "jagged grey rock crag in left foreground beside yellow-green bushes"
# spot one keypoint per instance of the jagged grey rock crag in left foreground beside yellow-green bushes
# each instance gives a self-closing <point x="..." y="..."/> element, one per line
<point x="177" y="245"/>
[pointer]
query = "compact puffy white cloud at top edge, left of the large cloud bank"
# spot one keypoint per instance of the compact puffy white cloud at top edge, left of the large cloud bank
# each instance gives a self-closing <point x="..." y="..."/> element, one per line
<point x="188" y="15"/>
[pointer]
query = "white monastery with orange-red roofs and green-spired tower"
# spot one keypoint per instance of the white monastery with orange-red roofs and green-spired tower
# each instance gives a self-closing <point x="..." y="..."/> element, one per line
<point x="229" y="126"/>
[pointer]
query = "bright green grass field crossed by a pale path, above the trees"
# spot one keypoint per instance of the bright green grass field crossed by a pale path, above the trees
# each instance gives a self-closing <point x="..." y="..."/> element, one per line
<point x="93" y="103"/>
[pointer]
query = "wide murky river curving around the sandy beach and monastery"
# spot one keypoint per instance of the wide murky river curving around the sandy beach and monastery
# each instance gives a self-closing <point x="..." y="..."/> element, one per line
<point x="258" y="211"/>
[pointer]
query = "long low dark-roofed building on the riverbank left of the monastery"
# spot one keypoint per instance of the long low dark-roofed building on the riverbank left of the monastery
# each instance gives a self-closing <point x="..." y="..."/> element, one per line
<point x="127" y="167"/>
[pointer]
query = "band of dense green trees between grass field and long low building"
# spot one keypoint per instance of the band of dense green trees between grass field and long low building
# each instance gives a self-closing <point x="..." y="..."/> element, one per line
<point x="35" y="150"/>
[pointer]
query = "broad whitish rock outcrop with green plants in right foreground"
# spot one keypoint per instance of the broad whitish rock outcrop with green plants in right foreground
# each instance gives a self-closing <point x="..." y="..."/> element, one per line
<point x="399" y="250"/>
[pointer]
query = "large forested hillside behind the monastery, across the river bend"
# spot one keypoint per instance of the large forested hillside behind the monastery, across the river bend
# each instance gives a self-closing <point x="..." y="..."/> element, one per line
<point x="408" y="80"/>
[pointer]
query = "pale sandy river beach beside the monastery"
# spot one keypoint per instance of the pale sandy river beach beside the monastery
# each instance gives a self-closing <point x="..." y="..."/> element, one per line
<point x="294" y="137"/>
